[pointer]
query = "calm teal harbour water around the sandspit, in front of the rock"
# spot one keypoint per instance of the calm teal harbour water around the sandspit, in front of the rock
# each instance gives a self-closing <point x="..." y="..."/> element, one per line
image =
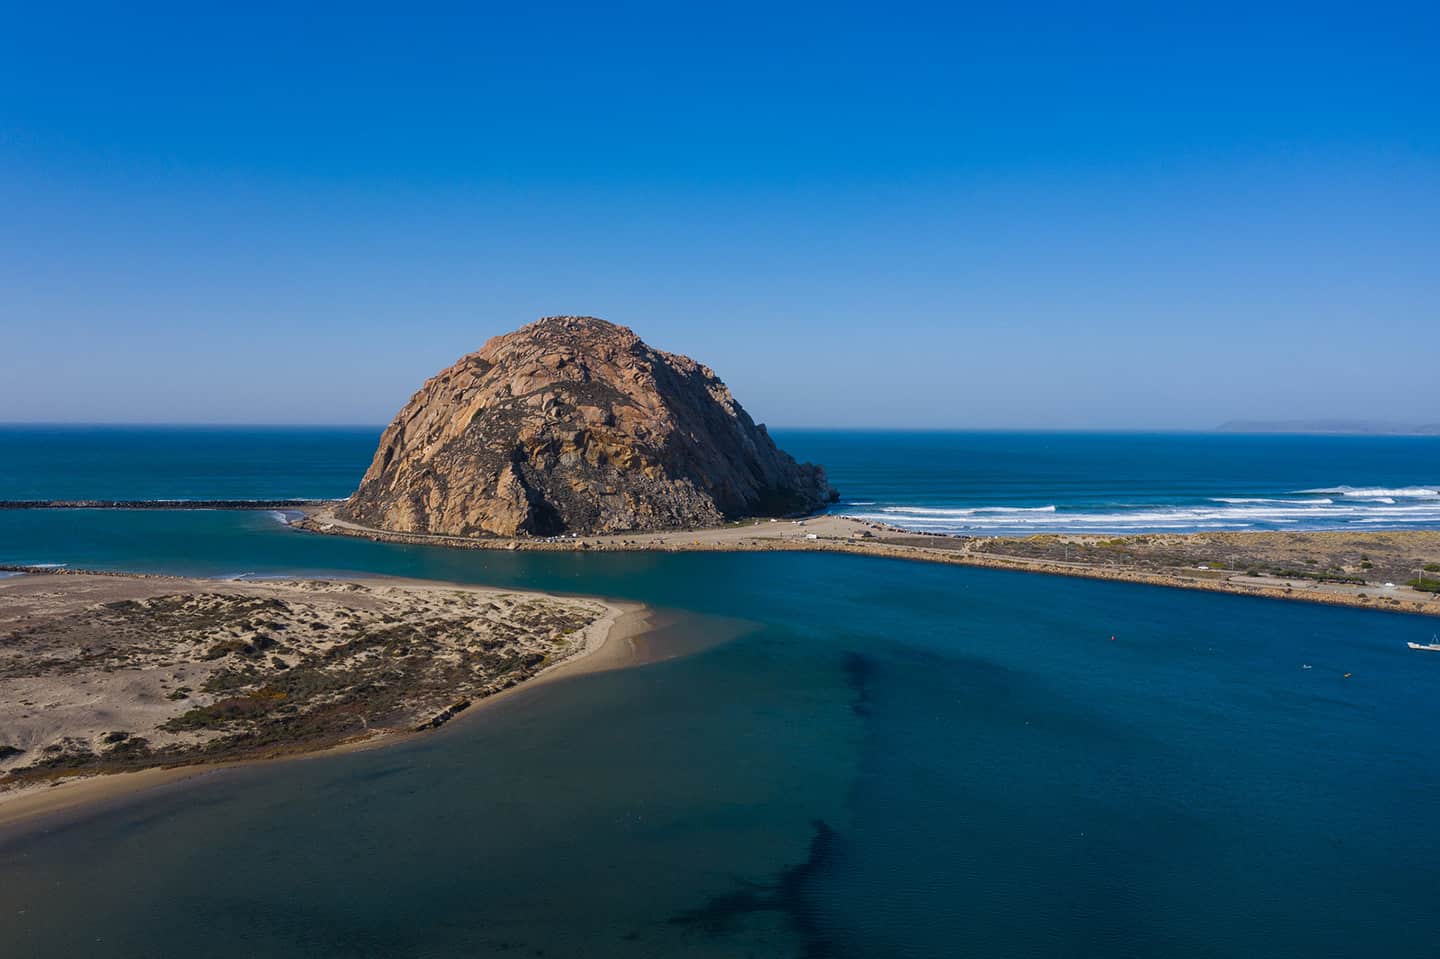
<point x="845" y="757"/>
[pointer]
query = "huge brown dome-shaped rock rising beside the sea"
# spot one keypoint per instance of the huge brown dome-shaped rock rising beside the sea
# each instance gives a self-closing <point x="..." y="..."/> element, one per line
<point x="575" y="426"/>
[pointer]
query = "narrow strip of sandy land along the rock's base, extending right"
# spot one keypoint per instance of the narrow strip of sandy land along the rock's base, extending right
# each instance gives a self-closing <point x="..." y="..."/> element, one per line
<point x="1366" y="571"/>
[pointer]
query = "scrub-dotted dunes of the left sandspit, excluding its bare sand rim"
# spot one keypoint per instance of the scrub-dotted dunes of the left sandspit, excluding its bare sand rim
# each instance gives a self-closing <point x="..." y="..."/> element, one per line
<point x="253" y="672"/>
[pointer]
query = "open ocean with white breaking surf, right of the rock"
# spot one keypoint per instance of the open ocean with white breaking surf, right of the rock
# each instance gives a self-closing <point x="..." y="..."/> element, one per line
<point x="997" y="483"/>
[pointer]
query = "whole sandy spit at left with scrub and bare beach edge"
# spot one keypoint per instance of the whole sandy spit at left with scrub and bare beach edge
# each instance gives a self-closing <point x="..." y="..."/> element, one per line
<point x="74" y="711"/>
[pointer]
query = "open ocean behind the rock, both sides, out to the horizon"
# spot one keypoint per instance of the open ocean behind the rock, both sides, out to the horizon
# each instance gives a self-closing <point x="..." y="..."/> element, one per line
<point x="980" y="483"/>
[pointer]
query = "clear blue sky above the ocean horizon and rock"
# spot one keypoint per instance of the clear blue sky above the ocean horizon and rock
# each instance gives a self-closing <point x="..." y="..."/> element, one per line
<point x="875" y="215"/>
